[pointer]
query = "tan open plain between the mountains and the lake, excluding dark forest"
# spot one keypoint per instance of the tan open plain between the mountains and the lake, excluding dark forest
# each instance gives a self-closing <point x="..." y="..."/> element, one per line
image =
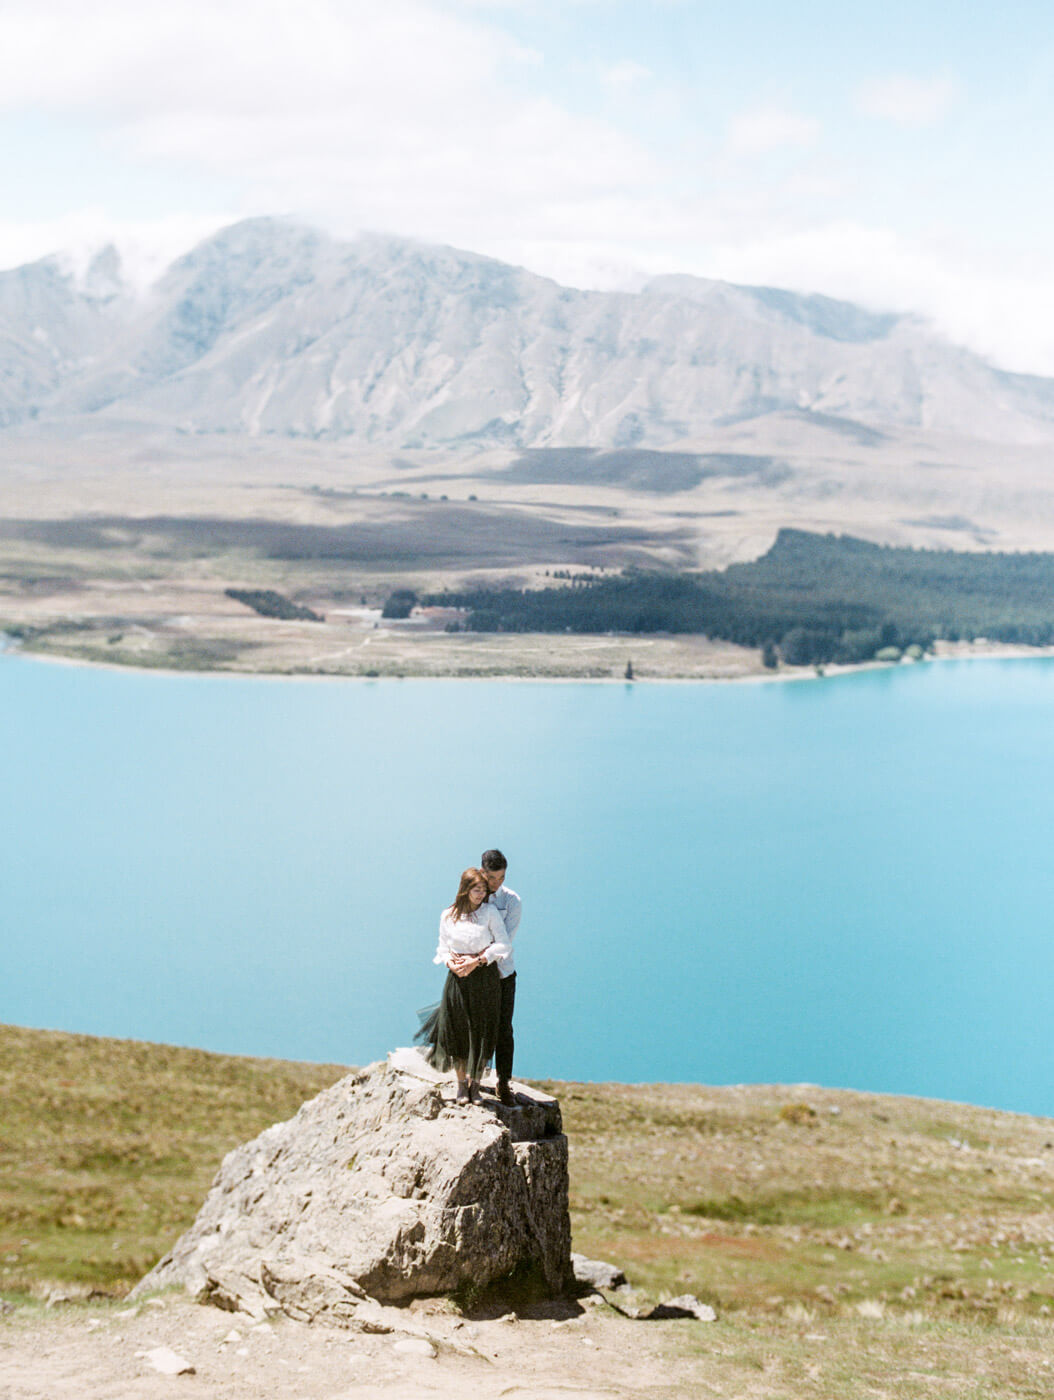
<point x="118" y="545"/>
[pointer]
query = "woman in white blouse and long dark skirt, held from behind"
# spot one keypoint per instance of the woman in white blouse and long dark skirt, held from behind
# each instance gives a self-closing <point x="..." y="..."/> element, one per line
<point x="464" y="1028"/>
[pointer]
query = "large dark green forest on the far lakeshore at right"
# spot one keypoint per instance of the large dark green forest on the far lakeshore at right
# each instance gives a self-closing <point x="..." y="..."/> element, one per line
<point x="811" y="600"/>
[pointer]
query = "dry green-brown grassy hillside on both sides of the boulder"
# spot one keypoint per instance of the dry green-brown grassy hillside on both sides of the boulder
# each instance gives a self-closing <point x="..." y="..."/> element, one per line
<point x="855" y="1245"/>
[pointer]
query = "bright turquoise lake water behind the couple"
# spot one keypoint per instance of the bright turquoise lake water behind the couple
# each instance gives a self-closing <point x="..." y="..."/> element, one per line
<point x="846" y="883"/>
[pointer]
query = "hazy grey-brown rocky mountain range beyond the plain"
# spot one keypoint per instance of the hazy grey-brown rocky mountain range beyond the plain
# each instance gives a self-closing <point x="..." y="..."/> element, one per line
<point x="271" y="328"/>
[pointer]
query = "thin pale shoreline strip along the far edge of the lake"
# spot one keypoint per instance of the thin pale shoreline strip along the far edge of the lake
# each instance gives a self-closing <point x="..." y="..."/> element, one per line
<point x="947" y="652"/>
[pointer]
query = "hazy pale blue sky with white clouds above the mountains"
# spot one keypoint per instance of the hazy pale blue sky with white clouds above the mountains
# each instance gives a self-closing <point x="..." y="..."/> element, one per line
<point x="897" y="155"/>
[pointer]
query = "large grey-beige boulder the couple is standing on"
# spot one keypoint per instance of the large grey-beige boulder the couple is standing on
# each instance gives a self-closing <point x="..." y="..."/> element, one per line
<point x="381" y="1189"/>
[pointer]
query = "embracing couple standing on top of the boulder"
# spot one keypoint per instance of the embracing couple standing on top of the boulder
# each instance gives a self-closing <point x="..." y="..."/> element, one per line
<point x="474" y="1021"/>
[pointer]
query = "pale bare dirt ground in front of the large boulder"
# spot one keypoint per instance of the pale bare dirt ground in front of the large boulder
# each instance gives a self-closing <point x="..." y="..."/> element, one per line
<point x="100" y="1353"/>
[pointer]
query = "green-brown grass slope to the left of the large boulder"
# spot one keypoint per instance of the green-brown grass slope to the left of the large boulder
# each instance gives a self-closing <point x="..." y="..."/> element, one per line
<point x="108" y="1147"/>
